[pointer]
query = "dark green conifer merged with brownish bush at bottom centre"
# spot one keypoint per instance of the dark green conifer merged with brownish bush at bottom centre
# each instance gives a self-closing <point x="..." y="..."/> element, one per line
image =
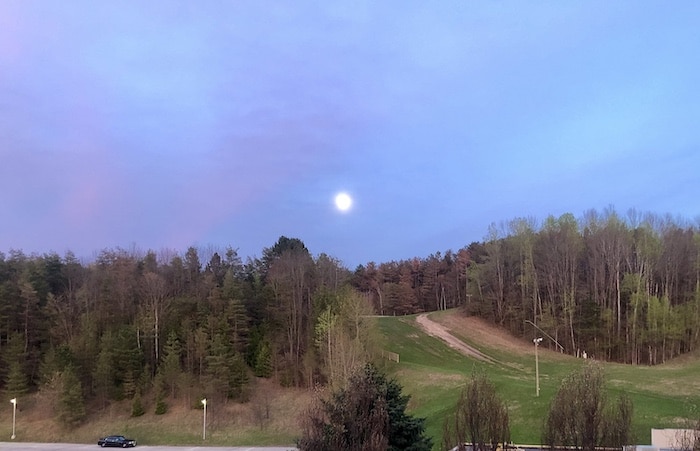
<point x="368" y="415"/>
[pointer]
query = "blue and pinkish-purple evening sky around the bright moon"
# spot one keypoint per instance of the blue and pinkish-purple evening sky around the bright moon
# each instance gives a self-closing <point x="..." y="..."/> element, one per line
<point x="169" y="124"/>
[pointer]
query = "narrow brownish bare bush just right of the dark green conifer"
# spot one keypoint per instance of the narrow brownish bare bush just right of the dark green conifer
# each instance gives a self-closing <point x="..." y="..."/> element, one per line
<point x="481" y="417"/>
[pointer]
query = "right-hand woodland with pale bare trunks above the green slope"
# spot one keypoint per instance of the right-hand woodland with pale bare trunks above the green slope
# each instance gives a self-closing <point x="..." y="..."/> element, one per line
<point x="624" y="289"/>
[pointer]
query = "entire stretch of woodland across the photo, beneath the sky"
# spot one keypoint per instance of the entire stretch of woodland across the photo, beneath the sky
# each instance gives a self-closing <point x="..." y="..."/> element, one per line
<point x="204" y="322"/>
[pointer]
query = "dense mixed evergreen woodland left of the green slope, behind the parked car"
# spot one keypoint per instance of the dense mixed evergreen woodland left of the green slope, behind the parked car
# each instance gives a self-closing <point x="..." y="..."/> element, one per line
<point x="181" y="327"/>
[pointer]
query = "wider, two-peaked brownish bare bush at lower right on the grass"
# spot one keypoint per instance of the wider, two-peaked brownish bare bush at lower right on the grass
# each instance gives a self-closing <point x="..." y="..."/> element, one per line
<point x="580" y="417"/>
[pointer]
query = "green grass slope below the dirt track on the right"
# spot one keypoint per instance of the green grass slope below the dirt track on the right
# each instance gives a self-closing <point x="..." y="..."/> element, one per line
<point x="434" y="374"/>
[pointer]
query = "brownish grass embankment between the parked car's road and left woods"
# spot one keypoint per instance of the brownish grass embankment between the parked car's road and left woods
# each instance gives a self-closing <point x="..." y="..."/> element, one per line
<point x="270" y="418"/>
